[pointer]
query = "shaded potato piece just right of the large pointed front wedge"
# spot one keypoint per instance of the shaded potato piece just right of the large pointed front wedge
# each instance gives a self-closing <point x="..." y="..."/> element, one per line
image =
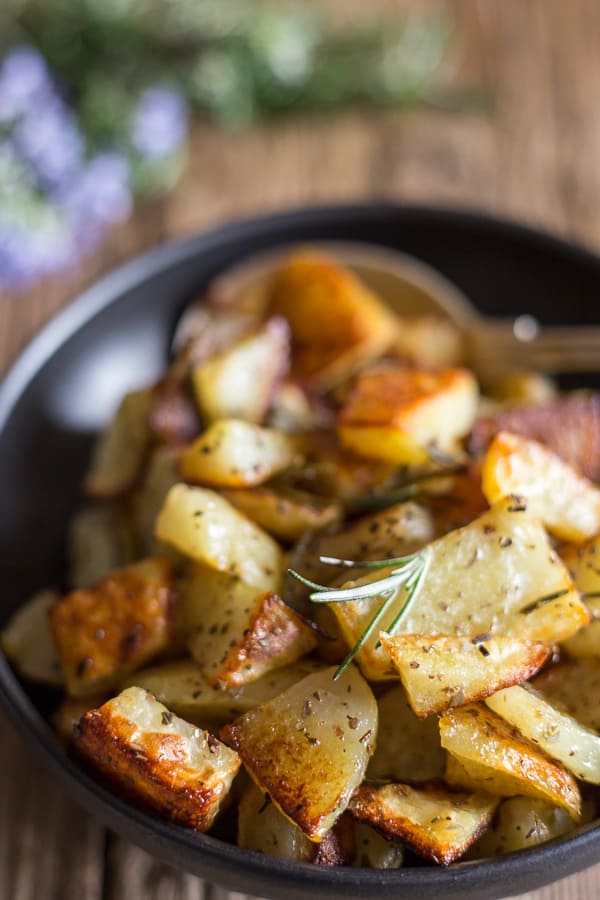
<point x="408" y="748"/>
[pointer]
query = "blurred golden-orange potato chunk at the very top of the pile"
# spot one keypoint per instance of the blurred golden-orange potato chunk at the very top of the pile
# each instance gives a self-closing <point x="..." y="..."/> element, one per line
<point x="336" y="322"/>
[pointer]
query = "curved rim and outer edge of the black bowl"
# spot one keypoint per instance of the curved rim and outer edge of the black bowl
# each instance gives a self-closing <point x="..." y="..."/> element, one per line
<point x="555" y="859"/>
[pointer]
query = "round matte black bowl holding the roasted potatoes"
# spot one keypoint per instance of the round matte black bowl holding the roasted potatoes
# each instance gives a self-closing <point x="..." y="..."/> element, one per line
<point x="116" y="336"/>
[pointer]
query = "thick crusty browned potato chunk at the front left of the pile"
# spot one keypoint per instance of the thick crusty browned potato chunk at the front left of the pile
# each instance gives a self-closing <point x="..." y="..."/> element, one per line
<point x="137" y="743"/>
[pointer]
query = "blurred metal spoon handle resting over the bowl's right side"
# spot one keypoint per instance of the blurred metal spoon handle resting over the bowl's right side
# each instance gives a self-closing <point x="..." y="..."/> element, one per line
<point x="495" y="347"/>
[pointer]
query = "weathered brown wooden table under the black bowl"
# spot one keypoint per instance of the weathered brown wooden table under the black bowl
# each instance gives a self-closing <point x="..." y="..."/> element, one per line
<point x="534" y="154"/>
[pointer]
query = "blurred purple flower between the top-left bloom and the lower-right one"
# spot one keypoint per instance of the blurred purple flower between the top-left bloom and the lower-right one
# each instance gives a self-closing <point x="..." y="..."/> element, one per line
<point x="47" y="137"/>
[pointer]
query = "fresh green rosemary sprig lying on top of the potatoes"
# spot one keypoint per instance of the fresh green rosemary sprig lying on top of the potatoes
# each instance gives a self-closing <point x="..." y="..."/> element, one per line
<point x="408" y="572"/>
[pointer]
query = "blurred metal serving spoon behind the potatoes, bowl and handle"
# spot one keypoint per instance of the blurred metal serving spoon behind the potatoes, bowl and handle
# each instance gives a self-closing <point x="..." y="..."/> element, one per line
<point x="493" y="346"/>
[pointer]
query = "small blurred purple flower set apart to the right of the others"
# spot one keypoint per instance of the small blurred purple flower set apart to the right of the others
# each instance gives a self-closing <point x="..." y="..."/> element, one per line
<point x="159" y="122"/>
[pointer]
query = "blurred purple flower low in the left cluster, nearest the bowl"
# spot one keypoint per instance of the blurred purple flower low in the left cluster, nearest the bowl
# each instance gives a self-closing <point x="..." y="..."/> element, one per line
<point x="100" y="195"/>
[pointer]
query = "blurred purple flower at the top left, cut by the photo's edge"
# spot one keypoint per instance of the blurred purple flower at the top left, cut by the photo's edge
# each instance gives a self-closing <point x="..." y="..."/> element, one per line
<point x="24" y="80"/>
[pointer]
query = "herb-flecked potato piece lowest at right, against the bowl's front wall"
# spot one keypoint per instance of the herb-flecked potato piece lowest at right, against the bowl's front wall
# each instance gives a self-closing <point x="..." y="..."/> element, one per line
<point x="519" y="823"/>
